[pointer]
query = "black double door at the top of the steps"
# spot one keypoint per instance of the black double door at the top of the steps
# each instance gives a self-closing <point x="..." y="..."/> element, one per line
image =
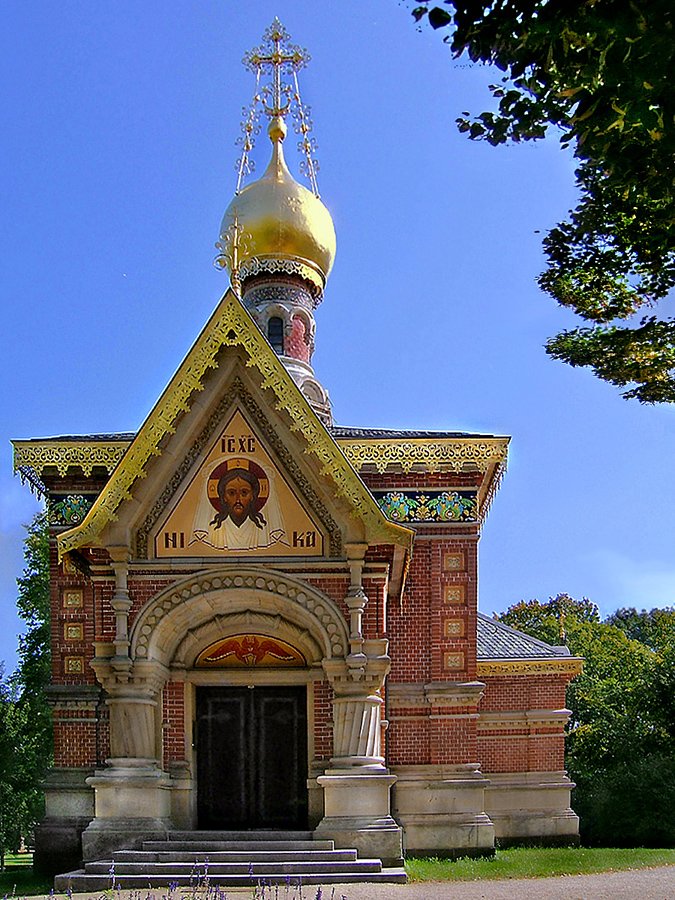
<point x="251" y="757"/>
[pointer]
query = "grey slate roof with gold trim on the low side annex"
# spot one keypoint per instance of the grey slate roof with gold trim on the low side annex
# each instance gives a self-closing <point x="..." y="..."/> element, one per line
<point x="504" y="650"/>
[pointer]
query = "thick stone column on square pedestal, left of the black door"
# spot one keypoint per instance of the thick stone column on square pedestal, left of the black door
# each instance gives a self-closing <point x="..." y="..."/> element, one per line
<point x="132" y="794"/>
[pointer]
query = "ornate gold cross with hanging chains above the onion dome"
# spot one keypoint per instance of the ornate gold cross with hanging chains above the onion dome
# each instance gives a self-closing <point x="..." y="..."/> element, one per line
<point x="276" y="56"/>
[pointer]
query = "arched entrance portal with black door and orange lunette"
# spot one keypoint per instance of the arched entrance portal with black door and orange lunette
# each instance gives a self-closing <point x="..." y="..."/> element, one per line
<point x="248" y="649"/>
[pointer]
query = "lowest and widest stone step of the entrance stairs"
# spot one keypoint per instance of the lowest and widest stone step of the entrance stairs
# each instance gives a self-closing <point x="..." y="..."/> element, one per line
<point x="81" y="882"/>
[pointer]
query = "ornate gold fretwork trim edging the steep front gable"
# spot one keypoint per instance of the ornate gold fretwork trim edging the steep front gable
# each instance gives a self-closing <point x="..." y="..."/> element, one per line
<point x="231" y="326"/>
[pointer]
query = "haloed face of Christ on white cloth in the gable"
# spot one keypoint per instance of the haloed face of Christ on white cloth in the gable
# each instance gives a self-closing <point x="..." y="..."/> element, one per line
<point x="237" y="490"/>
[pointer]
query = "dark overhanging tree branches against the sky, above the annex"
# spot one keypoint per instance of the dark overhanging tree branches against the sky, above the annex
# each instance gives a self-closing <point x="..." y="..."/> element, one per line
<point x="598" y="72"/>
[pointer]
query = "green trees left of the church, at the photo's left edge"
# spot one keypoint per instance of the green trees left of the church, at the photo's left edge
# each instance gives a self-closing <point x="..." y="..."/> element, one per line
<point x="25" y="721"/>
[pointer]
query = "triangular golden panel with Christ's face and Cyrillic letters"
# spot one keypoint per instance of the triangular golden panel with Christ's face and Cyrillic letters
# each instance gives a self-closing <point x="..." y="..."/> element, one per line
<point x="239" y="503"/>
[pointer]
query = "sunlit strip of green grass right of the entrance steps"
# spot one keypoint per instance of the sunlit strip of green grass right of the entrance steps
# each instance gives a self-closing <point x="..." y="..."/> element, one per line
<point x="527" y="862"/>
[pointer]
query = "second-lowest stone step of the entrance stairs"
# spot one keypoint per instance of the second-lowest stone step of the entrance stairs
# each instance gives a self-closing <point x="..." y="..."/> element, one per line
<point x="215" y="870"/>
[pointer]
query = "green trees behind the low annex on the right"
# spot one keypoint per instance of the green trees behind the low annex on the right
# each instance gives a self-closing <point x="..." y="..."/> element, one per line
<point x="620" y="748"/>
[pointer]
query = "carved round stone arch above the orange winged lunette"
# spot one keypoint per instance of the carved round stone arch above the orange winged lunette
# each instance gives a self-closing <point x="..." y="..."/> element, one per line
<point x="164" y="622"/>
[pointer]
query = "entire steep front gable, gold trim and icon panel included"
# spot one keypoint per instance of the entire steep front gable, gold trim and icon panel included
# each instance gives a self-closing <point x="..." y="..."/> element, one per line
<point x="233" y="406"/>
